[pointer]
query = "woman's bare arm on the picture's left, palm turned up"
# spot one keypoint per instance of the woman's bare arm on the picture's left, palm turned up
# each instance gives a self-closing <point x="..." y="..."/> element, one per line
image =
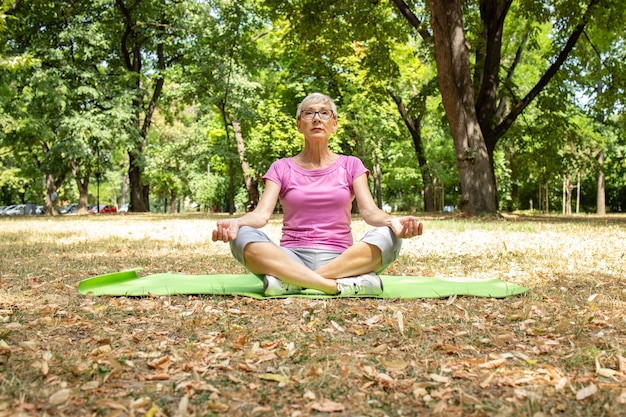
<point x="227" y="229"/>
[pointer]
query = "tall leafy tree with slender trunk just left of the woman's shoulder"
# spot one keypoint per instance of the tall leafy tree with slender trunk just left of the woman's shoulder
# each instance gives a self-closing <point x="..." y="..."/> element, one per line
<point x="223" y="66"/>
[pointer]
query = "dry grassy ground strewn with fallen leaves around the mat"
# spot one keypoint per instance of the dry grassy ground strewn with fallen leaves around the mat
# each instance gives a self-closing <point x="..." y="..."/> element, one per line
<point x="557" y="350"/>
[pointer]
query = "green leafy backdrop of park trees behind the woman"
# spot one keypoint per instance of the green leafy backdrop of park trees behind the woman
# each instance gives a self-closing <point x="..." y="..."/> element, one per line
<point x="74" y="100"/>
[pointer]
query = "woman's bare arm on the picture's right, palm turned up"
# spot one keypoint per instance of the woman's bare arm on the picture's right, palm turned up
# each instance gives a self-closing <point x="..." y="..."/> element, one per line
<point x="403" y="227"/>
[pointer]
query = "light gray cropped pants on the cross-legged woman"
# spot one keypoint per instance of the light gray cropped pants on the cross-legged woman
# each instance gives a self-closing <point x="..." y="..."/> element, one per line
<point x="381" y="237"/>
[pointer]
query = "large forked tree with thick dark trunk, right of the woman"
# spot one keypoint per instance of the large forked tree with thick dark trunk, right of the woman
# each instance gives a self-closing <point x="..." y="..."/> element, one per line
<point x="475" y="107"/>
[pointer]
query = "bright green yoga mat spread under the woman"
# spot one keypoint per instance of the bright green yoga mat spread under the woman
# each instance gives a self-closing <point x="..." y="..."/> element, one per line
<point x="129" y="283"/>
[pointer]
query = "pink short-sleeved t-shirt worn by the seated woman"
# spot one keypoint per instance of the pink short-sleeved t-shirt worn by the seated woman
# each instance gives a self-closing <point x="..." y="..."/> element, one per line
<point x="317" y="202"/>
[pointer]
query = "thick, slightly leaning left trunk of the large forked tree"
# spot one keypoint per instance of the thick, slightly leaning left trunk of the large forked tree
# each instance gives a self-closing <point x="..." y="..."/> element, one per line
<point x="478" y="187"/>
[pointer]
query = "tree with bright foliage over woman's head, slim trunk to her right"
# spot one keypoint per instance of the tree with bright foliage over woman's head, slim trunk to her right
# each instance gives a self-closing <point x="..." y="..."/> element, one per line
<point x="329" y="46"/>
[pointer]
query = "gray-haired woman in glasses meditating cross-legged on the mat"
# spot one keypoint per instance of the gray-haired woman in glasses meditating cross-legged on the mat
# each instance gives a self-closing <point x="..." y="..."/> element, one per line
<point x="316" y="189"/>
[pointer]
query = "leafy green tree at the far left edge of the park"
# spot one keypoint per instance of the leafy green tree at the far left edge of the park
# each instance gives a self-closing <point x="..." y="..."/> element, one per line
<point x="68" y="111"/>
